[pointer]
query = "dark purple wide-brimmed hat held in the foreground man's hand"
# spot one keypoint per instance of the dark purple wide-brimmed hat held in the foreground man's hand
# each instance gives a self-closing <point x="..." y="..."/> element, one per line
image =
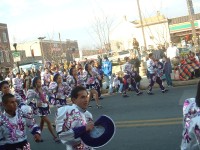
<point x="104" y="130"/>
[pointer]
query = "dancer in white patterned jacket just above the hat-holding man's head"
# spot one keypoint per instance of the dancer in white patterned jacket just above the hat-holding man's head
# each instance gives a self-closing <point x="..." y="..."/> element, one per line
<point x="74" y="79"/>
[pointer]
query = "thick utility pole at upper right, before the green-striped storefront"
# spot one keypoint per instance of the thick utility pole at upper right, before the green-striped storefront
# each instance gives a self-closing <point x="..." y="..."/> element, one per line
<point x="191" y="17"/>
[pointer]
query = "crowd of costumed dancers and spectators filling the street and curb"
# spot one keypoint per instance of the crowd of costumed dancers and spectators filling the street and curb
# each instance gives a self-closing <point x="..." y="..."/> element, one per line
<point x="77" y="83"/>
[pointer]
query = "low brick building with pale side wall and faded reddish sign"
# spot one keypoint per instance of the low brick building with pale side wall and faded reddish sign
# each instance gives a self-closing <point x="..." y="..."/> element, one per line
<point x="48" y="50"/>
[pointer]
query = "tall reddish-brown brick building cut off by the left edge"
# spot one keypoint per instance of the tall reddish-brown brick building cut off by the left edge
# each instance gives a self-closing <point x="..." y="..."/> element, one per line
<point x="6" y="59"/>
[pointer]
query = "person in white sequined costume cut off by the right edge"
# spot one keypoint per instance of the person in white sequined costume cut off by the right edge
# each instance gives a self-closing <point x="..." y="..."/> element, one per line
<point x="191" y="122"/>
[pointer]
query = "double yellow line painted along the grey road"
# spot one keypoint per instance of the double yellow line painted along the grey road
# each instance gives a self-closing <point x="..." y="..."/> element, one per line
<point x="154" y="120"/>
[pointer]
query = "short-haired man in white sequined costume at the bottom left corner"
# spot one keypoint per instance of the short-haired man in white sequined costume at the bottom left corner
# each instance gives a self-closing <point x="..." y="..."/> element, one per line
<point x="12" y="125"/>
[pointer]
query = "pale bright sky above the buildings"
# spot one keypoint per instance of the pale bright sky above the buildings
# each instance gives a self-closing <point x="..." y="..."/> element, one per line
<point x="74" y="19"/>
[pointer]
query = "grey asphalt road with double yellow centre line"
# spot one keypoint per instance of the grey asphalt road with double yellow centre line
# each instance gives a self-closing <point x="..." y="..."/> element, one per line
<point x="146" y="122"/>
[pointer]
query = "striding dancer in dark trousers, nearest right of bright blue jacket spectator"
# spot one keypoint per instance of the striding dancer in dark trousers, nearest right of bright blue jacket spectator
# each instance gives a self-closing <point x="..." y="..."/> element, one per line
<point x="129" y="78"/>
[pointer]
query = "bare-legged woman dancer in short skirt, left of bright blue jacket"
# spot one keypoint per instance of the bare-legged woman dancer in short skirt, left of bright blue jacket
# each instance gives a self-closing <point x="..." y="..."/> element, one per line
<point x="92" y="83"/>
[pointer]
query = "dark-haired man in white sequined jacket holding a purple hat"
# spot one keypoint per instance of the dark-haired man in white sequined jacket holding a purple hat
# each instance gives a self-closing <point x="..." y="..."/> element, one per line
<point x="73" y="121"/>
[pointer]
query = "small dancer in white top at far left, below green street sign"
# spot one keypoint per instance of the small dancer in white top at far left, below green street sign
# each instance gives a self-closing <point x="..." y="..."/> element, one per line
<point x="18" y="86"/>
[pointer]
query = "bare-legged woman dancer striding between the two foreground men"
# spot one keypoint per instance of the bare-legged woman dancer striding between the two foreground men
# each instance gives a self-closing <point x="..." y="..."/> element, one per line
<point x="38" y="100"/>
